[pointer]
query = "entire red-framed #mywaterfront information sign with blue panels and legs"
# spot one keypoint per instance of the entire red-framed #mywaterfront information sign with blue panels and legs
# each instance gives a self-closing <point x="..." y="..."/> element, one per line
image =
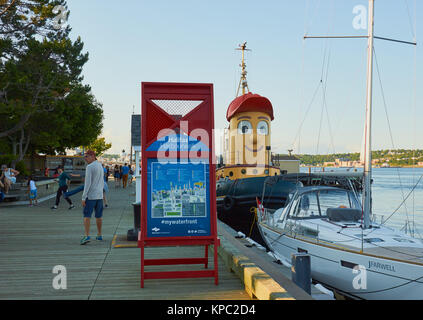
<point x="178" y="204"/>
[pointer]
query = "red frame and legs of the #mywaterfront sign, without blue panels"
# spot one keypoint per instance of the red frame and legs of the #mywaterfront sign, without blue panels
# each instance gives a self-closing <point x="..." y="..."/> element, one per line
<point x="155" y="118"/>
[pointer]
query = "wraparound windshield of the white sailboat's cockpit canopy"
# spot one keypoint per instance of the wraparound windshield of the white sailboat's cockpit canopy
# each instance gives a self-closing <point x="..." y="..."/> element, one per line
<point x="314" y="204"/>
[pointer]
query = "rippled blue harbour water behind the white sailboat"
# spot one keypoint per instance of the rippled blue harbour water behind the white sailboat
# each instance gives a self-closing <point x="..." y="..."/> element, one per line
<point x="392" y="191"/>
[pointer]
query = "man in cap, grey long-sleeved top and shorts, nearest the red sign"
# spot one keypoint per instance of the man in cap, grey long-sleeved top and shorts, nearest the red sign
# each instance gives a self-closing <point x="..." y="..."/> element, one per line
<point x="92" y="197"/>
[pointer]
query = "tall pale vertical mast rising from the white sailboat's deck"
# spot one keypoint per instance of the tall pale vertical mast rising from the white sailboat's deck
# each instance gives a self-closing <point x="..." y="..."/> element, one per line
<point x="367" y="193"/>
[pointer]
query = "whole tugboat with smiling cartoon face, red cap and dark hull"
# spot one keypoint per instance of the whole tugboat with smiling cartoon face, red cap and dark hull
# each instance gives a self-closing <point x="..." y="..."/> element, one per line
<point x="249" y="171"/>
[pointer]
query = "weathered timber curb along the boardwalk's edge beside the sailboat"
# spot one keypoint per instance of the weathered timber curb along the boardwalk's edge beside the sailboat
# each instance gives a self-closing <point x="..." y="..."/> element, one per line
<point x="258" y="284"/>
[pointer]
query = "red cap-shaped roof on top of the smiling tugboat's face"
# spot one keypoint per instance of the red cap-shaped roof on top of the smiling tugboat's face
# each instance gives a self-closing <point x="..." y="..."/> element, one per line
<point x="249" y="102"/>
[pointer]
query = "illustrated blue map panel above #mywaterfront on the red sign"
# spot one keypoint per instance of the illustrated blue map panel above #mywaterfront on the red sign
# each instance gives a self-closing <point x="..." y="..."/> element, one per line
<point x="178" y="190"/>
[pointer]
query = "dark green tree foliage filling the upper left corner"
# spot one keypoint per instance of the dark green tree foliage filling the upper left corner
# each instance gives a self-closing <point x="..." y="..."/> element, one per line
<point x="44" y="106"/>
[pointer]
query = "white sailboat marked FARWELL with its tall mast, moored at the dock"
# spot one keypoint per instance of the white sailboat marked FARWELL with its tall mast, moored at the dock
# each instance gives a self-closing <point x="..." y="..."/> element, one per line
<point x="348" y="251"/>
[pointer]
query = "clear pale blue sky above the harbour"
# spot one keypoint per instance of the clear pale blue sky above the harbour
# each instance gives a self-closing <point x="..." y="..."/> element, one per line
<point x="194" y="40"/>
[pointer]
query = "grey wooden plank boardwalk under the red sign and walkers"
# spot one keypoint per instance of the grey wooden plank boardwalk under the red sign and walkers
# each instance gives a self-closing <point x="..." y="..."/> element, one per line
<point x="33" y="240"/>
